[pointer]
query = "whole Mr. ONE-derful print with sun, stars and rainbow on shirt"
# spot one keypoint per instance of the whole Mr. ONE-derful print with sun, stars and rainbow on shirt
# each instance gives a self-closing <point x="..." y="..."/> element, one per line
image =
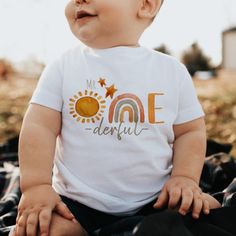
<point x="89" y="107"/>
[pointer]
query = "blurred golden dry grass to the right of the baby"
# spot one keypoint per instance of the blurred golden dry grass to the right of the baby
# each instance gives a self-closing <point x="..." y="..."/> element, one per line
<point x="218" y="98"/>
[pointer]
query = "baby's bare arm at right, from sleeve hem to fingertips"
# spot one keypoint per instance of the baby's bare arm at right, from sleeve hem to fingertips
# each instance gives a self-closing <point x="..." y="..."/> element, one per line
<point x="182" y="189"/>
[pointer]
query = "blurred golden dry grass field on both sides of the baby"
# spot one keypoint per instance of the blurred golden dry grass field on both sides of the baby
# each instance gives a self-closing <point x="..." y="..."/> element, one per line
<point x="217" y="96"/>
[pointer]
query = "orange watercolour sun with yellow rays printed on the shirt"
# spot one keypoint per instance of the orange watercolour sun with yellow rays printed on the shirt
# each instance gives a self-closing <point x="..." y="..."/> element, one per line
<point x="87" y="107"/>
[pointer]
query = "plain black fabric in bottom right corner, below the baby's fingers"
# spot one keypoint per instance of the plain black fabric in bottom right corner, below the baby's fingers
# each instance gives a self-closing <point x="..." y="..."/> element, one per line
<point x="220" y="222"/>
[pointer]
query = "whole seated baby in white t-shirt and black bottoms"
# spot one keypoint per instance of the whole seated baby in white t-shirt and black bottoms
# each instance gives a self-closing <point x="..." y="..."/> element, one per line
<point x="118" y="125"/>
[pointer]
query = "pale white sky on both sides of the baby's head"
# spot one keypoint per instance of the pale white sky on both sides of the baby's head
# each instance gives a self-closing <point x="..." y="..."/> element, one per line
<point x="38" y="28"/>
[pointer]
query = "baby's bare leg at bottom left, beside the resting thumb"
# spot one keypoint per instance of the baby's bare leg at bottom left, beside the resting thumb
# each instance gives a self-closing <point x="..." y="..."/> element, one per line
<point x="62" y="227"/>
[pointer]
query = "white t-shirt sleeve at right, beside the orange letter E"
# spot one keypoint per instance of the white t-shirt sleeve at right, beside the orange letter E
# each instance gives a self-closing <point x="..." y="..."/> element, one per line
<point x="189" y="107"/>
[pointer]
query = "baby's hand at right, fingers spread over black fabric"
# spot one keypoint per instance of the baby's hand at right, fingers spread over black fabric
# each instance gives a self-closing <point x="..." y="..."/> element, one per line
<point x="183" y="193"/>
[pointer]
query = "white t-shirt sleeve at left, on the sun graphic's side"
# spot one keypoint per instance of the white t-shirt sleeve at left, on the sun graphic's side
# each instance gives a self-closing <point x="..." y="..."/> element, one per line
<point x="49" y="88"/>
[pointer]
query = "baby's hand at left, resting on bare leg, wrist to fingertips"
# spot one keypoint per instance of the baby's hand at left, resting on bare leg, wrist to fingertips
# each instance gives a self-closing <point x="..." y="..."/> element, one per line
<point x="35" y="210"/>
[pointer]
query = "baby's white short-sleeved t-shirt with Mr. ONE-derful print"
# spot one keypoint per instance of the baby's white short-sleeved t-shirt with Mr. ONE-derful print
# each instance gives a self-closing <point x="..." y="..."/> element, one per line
<point x="118" y="109"/>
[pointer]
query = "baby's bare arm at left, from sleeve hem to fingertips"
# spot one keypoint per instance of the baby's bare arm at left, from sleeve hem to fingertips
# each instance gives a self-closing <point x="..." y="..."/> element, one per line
<point x="40" y="128"/>
